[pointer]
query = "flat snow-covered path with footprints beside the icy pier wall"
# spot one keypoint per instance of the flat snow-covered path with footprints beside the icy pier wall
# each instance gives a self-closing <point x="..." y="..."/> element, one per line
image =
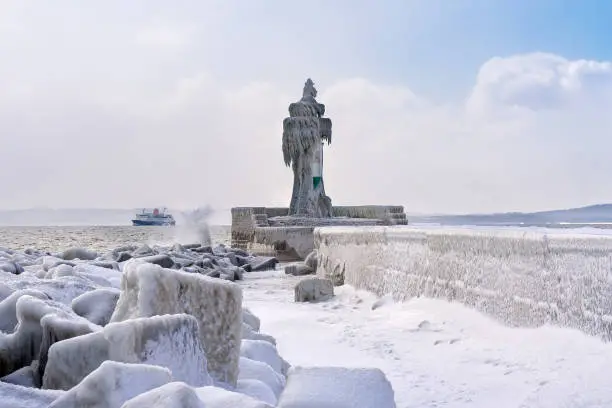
<point x="435" y="353"/>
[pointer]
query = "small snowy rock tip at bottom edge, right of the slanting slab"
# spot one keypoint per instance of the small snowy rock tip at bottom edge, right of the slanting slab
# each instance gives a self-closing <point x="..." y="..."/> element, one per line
<point x="171" y="395"/>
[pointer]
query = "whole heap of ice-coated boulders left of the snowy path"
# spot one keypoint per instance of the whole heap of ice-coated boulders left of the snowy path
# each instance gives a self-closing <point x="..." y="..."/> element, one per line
<point x="139" y="326"/>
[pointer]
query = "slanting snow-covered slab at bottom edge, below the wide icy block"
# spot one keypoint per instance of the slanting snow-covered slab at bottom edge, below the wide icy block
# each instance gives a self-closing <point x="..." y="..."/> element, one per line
<point x="112" y="384"/>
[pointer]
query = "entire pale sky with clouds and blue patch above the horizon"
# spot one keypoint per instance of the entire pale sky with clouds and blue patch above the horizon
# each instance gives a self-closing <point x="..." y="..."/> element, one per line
<point x="441" y="106"/>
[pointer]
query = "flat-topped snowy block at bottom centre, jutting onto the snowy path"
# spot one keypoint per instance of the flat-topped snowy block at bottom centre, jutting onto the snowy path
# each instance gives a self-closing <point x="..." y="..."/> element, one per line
<point x="335" y="387"/>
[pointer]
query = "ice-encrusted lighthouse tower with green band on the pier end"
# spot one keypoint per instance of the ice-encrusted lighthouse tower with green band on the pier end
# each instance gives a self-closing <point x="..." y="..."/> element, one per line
<point x="303" y="134"/>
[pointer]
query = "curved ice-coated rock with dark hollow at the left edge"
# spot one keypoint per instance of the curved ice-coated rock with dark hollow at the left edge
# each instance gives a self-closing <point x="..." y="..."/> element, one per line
<point x="27" y="343"/>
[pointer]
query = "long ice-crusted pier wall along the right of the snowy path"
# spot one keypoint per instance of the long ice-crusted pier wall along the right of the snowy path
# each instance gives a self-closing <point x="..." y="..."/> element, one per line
<point x="521" y="277"/>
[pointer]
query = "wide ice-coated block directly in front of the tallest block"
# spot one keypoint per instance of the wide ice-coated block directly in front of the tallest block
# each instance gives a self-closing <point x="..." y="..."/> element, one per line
<point x="170" y="341"/>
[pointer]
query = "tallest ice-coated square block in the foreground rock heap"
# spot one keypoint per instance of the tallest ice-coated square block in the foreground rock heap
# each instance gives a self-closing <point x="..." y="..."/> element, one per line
<point x="149" y="290"/>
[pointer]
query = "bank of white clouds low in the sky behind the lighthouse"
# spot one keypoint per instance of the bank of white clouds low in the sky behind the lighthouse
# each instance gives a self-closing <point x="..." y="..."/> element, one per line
<point x="533" y="132"/>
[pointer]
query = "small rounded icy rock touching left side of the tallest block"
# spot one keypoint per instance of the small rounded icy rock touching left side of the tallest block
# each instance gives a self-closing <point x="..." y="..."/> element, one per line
<point x="97" y="306"/>
